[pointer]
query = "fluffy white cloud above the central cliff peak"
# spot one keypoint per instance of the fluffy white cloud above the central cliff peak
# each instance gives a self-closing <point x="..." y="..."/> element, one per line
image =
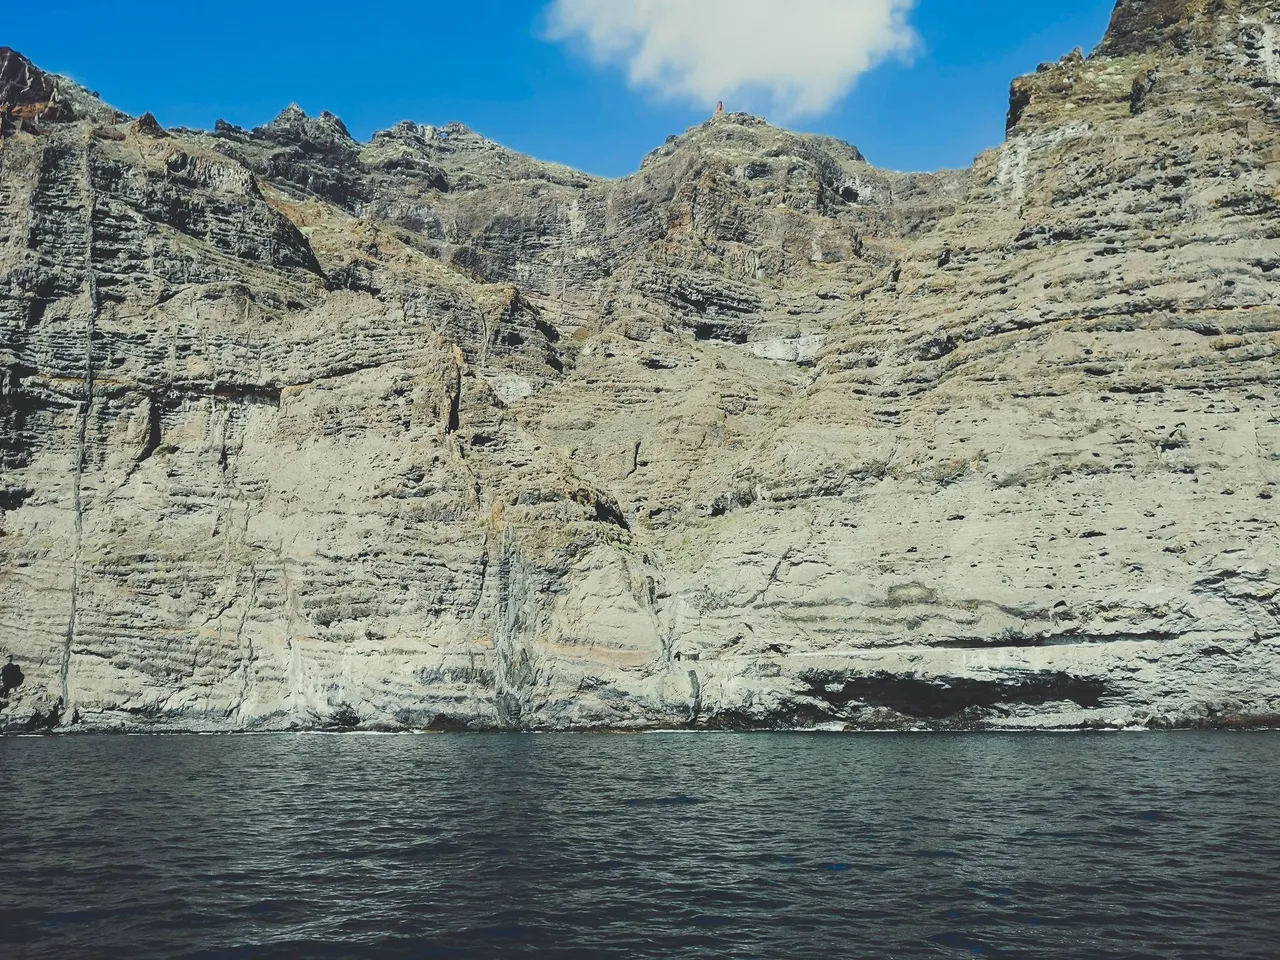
<point x="793" y="57"/>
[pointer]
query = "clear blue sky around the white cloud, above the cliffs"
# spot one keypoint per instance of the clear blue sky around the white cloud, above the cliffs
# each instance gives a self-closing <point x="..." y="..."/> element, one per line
<point x="492" y="66"/>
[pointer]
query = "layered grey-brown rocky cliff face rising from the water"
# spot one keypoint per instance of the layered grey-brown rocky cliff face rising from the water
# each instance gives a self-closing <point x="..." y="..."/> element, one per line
<point x="422" y="433"/>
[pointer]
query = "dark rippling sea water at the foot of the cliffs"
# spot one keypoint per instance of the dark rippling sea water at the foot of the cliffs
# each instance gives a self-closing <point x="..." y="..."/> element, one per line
<point x="644" y="847"/>
